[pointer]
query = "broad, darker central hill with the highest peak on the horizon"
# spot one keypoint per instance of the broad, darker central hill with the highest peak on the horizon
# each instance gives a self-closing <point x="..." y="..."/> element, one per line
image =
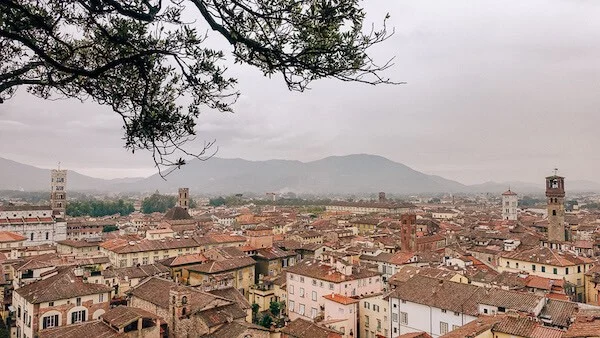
<point x="336" y="174"/>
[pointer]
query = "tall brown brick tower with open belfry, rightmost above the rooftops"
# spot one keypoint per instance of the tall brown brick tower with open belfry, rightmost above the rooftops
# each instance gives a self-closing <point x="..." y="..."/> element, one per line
<point x="555" y="196"/>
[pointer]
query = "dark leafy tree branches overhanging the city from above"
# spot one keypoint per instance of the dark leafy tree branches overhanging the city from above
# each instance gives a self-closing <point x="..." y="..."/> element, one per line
<point x="155" y="70"/>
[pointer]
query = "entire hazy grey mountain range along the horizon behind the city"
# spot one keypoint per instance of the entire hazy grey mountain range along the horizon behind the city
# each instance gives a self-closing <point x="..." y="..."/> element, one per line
<point x="351" y="174"/>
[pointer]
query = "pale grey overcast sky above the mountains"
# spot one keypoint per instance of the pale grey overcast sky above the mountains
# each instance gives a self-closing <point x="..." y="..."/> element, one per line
<point x="497" y="90"/>
